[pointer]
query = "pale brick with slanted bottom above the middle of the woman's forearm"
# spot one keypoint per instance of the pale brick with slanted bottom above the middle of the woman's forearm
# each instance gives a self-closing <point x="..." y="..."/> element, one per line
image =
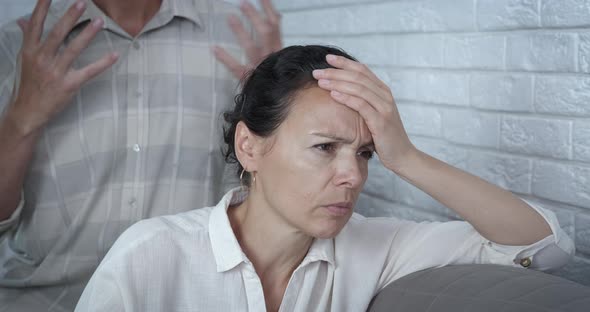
<point x="511" y="173"/>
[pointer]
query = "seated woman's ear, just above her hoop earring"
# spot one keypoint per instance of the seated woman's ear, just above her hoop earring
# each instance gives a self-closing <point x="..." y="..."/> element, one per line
<point x="246" y="147"/>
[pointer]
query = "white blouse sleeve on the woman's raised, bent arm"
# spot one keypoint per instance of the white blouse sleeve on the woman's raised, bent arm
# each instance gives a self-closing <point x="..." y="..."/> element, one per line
<point x="418" y="246"/>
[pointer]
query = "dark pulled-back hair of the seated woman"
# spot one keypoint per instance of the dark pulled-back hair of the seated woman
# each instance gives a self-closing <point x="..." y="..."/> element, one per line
<point x="268" y="90"/>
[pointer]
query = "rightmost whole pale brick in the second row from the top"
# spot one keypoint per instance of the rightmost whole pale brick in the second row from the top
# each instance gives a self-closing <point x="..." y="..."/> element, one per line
<point x="541" y="52"/>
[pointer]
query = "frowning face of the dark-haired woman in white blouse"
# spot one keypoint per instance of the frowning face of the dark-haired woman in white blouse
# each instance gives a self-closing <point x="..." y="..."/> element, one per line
<point x="315" y="164"/>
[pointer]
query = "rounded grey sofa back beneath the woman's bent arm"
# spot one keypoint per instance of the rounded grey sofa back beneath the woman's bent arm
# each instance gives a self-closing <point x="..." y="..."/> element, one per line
<point x="481" y="288"/>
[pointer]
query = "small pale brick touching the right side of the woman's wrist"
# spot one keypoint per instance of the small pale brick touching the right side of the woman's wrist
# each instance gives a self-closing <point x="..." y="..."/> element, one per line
<point x="421" y="120"/>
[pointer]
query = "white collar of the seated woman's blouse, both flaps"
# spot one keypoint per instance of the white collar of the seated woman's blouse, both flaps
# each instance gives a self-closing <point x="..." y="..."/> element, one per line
<point x="226" y="249"/>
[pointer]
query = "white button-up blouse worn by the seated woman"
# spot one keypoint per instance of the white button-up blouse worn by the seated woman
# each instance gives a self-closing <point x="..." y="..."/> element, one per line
<point x="193" y="262"/>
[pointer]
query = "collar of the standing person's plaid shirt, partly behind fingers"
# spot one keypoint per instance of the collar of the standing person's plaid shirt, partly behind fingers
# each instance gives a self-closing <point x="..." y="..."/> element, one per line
<point x="169" y="8"/>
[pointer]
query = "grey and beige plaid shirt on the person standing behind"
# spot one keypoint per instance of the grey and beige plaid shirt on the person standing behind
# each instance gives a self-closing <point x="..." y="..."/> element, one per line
<point x="140" y="140"/>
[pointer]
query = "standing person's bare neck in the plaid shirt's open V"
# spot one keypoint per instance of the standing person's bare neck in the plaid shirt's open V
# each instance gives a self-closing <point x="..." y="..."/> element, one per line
<point x="131" y="15"/>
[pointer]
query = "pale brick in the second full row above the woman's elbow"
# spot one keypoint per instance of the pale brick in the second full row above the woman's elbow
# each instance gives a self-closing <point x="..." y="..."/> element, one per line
<point x="533" y="136"/>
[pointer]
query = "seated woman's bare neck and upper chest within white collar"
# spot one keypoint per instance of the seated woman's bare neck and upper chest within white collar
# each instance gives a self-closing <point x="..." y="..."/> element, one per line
<point x="275" y="248"/>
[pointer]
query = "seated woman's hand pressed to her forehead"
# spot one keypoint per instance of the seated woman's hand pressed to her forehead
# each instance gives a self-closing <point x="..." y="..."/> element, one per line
<point x="353" y="84"/>
